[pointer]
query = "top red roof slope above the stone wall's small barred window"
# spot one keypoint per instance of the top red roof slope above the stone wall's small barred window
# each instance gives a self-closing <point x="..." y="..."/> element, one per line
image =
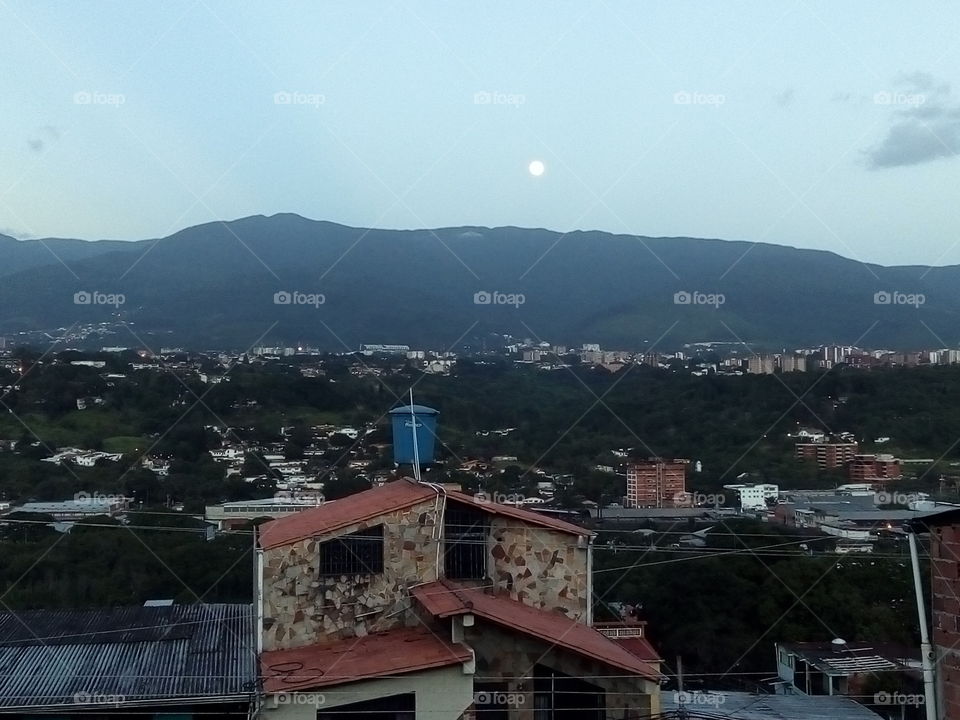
<point x="341" y="513"/>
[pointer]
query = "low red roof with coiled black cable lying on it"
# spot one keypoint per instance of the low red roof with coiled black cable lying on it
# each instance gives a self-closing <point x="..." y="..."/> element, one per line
<point x="390" y="653"/>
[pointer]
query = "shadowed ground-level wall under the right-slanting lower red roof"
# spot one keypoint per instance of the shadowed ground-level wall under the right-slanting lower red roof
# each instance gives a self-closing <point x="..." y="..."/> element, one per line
<point x="511" y="657"/>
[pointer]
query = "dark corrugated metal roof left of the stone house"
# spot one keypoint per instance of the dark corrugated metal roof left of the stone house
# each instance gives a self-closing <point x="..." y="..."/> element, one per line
<point x="79" y="657"/>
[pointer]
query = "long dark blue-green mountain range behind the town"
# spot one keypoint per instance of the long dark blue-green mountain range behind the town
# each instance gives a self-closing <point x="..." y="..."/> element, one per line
<point x="285" y="279"/>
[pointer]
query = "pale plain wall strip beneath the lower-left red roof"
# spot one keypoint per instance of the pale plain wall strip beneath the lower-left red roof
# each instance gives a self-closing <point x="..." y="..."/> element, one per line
<point x="442" y="694"/>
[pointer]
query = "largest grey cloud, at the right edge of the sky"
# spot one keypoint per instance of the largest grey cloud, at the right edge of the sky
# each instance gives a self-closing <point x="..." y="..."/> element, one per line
<point x="926" y="124"/>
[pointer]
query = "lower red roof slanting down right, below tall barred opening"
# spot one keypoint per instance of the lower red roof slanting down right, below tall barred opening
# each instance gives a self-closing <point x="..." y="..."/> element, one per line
<point x="444" y="599"/>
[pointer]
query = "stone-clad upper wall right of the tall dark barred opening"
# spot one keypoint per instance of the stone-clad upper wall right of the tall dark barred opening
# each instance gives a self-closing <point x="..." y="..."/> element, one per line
<point x="539" y="567"/>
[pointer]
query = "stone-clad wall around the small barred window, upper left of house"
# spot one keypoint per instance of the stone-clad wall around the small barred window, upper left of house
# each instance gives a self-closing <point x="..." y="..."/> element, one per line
<point x="305" y="608"/>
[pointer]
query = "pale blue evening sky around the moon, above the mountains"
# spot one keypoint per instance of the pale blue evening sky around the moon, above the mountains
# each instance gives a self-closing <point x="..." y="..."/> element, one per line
<point x="825" y="125"/>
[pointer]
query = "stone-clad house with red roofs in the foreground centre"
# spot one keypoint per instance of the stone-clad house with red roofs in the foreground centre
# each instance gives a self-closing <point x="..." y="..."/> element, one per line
<point x="416" y="598"/>
